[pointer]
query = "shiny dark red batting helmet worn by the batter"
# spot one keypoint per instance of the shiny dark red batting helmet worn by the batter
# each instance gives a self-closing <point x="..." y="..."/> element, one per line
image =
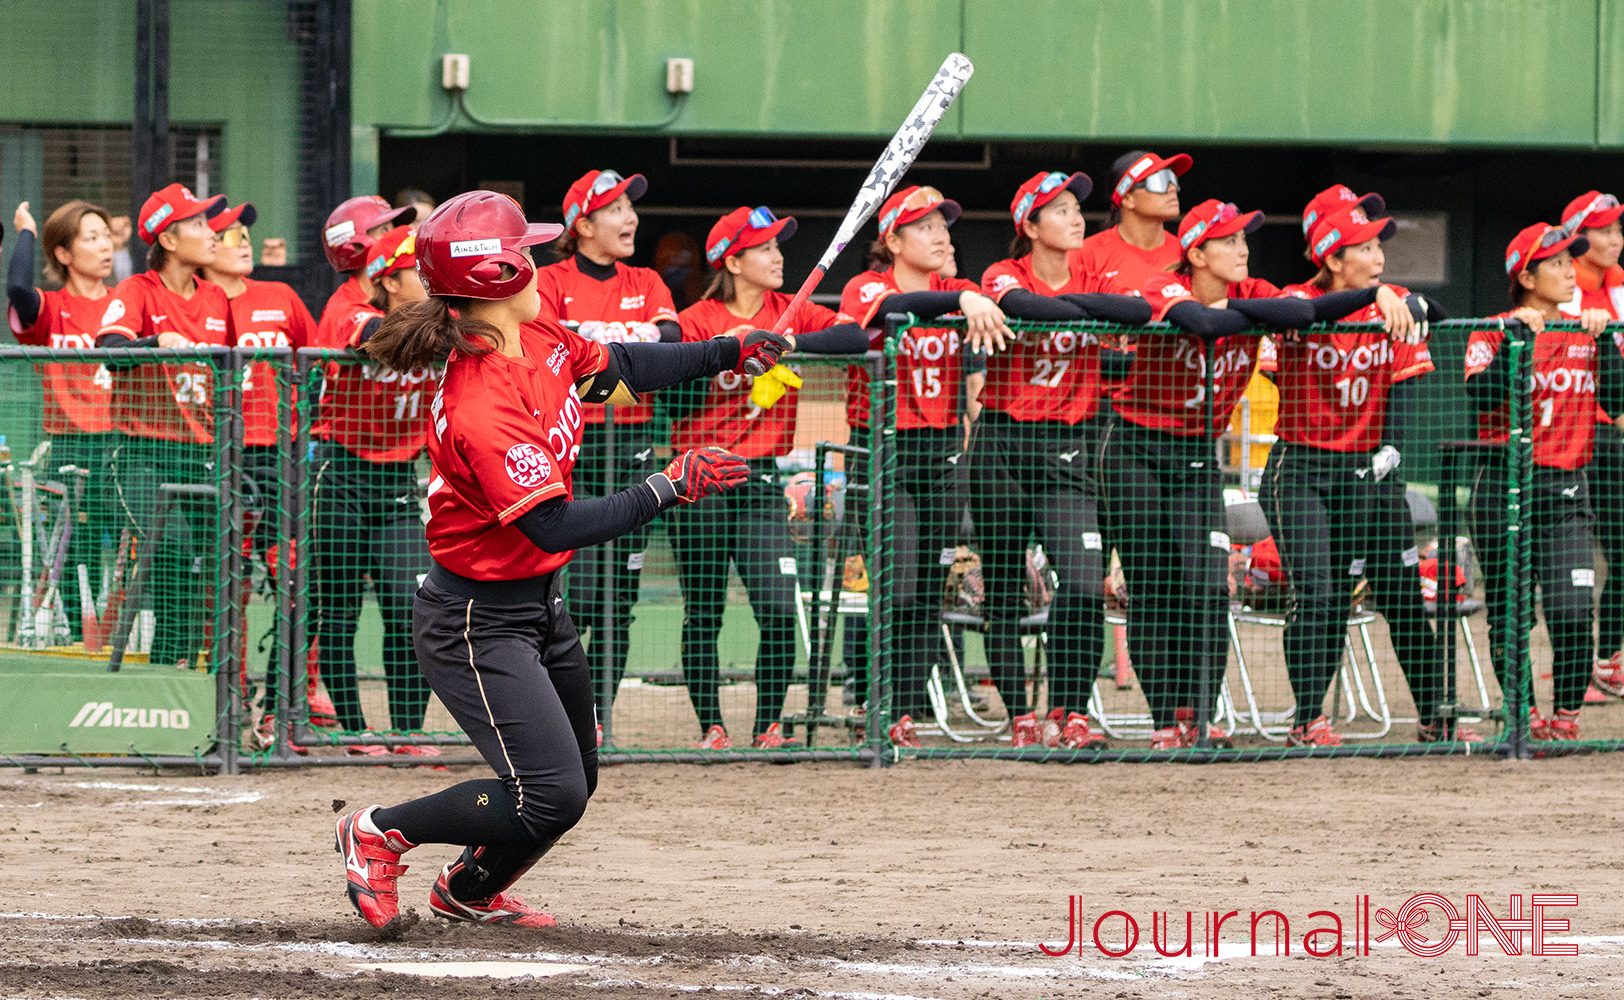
<point x="467" y="241"/>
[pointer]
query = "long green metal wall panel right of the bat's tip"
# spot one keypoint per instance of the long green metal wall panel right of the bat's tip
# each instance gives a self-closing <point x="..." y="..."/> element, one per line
<point x="1503" y="72"/>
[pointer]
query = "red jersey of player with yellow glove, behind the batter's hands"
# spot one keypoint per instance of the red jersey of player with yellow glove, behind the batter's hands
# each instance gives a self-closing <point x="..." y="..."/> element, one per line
<point x="728" y="418"/>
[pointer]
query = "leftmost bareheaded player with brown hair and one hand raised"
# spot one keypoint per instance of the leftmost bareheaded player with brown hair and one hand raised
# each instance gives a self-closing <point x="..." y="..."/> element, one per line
<point x="77" y="251"/>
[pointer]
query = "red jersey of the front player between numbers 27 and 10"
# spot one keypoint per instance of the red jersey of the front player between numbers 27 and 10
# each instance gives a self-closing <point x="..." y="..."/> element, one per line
<point x="1167" y="387"/>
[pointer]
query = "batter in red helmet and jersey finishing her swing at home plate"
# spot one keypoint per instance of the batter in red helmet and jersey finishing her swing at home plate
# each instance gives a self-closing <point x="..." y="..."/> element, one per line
<point x="491" y="627"/>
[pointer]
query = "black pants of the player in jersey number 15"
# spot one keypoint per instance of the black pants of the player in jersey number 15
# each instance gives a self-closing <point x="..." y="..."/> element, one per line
<point x="925" y="527"/>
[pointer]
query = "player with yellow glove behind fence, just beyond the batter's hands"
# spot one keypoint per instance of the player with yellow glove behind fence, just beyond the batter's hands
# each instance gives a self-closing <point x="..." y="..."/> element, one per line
<point x="756" y="420"/>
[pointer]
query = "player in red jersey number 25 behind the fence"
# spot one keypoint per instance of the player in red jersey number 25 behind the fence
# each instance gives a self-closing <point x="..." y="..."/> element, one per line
<point x="166" y="412"/>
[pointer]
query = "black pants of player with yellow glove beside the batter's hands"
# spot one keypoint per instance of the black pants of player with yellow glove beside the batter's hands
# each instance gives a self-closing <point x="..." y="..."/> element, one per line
<point x="748" y="528"/>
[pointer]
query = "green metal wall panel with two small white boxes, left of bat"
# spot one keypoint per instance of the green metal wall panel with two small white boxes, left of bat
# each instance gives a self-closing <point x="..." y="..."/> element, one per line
<point x="785" y="67"/>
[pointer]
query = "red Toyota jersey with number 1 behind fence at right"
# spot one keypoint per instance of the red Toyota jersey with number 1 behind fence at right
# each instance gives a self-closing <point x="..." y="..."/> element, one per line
<point x="1565" y="395"/>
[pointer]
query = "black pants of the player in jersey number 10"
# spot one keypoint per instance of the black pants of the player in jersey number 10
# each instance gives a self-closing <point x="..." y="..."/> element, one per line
<point x="1332" y="525"/>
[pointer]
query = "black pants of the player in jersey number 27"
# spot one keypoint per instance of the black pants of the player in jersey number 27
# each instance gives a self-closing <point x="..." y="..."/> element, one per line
<point x="1037" y="481"/>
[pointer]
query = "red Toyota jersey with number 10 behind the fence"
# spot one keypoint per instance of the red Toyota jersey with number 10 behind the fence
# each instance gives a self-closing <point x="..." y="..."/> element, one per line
<point x="1334" y="386"/>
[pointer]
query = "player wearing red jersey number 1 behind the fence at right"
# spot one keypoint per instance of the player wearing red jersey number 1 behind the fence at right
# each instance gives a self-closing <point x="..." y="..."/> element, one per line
<point x="1573" y="373"/>
